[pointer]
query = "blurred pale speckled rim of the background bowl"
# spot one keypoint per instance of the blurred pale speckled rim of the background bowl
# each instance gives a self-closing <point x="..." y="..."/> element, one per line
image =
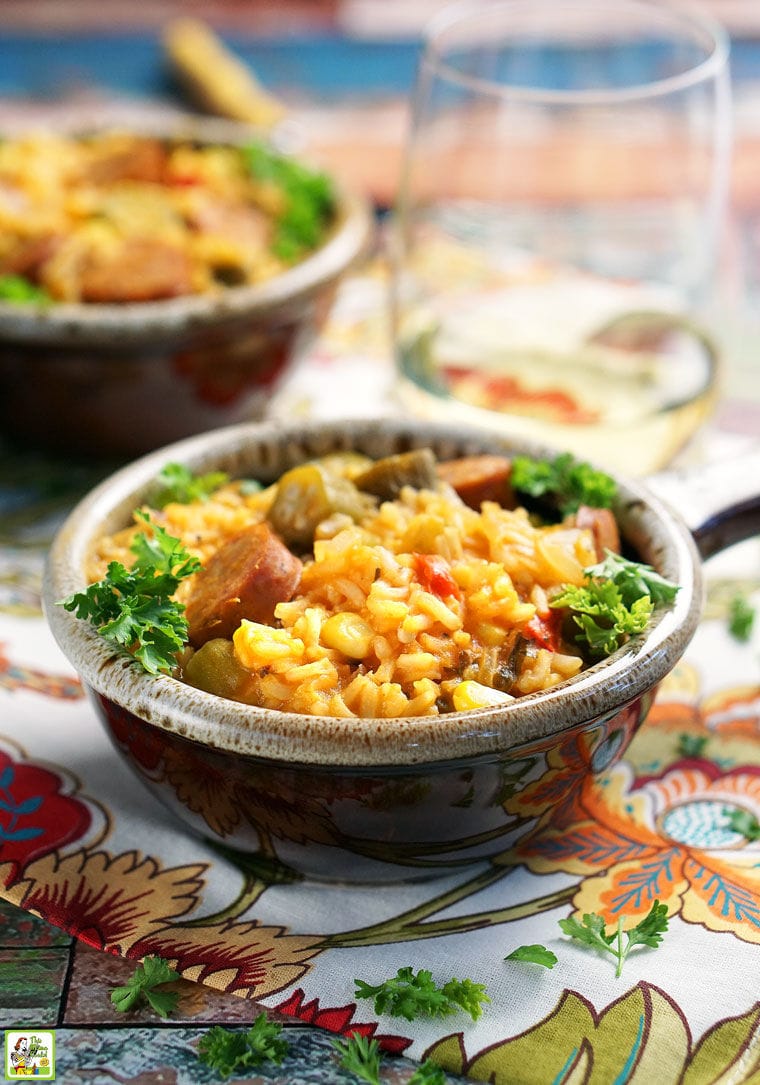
<point x="79" y="323"/>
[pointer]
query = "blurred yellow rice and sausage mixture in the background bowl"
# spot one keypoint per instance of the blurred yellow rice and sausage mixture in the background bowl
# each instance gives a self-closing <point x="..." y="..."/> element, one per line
<point x="71" y="207"/>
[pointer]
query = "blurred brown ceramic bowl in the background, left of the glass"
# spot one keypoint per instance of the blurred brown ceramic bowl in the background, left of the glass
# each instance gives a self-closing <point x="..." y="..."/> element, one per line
<point x="119" y="380"/>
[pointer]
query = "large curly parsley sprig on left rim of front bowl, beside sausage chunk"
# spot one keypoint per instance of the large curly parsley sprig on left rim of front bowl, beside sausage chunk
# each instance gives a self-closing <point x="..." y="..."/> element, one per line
<point x="133" y="608"/>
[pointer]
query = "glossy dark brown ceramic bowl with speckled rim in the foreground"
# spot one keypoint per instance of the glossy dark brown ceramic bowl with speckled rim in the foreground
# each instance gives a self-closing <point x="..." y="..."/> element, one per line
<point x="372" y="800"/>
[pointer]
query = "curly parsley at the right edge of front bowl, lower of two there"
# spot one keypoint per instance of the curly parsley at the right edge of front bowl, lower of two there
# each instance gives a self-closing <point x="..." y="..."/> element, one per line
<point x="616" y="603"/>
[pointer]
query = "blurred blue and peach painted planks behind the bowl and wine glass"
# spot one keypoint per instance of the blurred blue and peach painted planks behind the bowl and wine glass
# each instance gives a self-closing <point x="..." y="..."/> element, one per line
<point x="343" y="70"/>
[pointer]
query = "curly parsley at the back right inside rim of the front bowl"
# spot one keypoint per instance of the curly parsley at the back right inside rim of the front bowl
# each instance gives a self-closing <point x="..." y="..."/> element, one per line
<point x="567" y="482"/>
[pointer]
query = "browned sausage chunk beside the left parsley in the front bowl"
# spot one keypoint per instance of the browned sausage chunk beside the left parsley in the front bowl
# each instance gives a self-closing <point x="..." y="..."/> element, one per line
<point x="247" y="578"/>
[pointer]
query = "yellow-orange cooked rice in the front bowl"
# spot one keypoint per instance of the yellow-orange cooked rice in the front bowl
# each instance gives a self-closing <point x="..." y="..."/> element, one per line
<point x="422" y="647"/>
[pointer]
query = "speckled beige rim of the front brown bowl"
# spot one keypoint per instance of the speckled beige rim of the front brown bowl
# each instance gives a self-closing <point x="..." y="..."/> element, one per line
<point x="603" y="691"/>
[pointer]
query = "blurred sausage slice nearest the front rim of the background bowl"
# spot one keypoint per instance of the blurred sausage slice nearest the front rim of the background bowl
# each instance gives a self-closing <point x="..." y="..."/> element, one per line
<point x="141" y="270"/>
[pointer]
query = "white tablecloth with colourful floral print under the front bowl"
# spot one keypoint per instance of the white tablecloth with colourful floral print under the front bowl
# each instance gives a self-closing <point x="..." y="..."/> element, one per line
<point x="85" y="847"/>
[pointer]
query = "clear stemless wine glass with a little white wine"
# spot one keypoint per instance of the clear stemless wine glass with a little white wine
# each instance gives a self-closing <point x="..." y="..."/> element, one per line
<point x="556" y="235"/>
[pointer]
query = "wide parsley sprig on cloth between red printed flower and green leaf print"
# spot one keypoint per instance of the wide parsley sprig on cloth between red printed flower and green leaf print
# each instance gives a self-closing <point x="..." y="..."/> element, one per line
<point x="412" y="995"/>
